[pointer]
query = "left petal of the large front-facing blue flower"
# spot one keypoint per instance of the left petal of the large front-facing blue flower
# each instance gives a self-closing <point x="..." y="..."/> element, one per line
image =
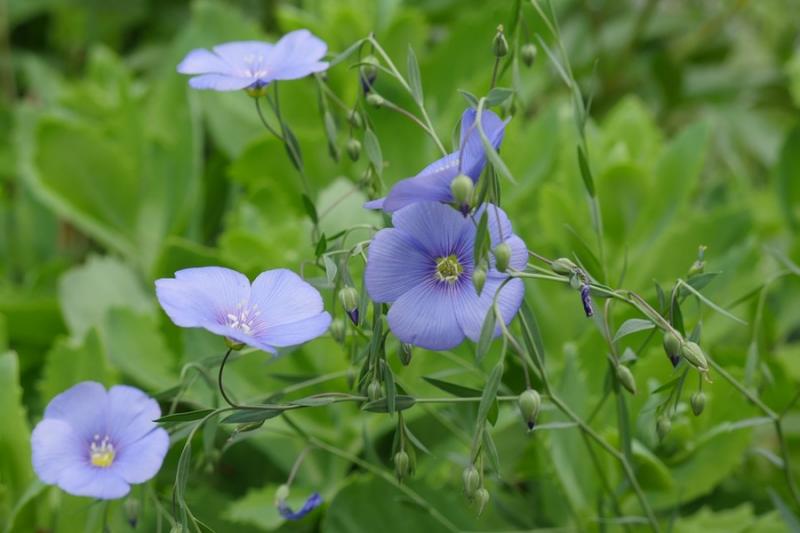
<point x="396" y="263"/>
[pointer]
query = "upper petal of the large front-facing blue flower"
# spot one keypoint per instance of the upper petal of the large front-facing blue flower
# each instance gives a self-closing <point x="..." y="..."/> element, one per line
<point x="440" y="229"/>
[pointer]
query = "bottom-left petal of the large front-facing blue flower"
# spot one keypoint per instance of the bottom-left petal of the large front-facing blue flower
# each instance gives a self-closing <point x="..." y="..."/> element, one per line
<point x="425" y="316"/>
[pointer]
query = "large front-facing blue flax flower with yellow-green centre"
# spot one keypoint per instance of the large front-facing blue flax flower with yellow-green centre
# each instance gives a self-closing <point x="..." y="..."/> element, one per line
<point x="423" y="266"/>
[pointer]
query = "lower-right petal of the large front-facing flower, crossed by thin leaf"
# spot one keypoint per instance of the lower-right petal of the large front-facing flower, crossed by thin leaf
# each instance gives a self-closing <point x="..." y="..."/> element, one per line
<point x="471" y="309"/>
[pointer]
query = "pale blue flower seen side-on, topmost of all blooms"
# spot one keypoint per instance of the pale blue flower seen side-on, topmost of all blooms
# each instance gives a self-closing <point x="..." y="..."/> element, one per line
<point x="254" y="64"/>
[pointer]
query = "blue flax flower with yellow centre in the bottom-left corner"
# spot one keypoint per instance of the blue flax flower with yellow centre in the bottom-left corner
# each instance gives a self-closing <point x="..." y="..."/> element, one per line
<point x="96" y="443"/>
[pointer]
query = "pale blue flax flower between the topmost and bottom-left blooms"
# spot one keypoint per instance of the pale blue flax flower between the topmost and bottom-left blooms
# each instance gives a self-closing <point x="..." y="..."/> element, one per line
<point x="279" y="309"/>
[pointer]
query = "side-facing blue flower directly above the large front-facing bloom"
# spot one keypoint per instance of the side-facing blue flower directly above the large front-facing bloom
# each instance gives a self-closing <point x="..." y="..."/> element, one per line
<point x="433" y="182"/>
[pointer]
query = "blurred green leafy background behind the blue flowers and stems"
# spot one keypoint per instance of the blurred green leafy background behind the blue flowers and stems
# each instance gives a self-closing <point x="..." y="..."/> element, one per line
<point x="113" y="173"/>
